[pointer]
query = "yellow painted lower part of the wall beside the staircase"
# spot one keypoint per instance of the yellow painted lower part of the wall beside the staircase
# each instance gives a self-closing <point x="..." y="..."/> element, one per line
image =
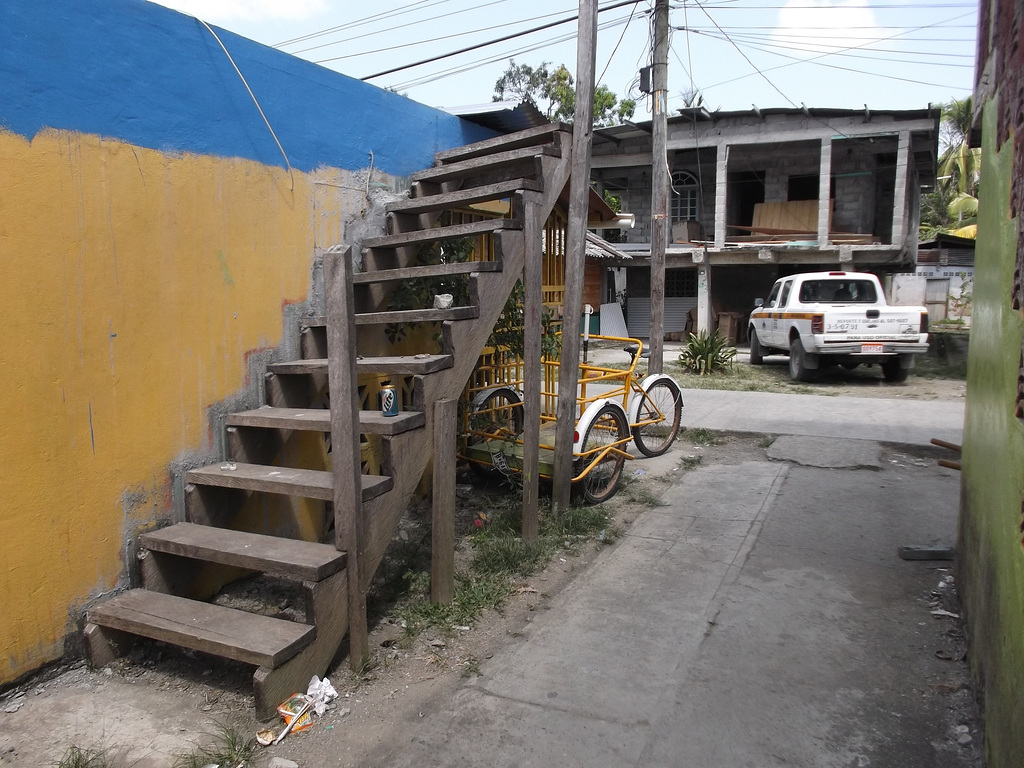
<point x="135" y="284"/>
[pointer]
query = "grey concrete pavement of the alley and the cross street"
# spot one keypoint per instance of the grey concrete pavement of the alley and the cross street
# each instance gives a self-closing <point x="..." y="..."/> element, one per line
<point x="760" y="618"/>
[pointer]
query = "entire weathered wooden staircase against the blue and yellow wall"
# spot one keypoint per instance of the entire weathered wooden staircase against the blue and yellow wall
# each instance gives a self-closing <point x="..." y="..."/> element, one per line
<point x="186" y="565"/>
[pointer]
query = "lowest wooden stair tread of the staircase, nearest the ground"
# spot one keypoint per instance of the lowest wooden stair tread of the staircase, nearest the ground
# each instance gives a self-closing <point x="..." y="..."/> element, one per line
<point x="204" y="627"/>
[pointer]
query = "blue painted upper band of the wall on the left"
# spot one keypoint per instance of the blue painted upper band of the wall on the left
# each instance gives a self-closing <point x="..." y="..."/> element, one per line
<point x="153" y="77"/>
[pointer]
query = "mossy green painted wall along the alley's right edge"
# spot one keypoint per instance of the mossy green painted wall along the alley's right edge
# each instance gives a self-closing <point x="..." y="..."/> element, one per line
<point x="991" y="558"/>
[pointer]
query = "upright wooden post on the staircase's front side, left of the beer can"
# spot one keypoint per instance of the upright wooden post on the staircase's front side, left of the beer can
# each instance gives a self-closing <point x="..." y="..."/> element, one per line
<point x="349" y="522"/>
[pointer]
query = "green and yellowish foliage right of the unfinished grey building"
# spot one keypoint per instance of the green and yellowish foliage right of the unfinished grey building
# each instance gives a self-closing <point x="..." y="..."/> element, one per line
<point x="953" y="208"/>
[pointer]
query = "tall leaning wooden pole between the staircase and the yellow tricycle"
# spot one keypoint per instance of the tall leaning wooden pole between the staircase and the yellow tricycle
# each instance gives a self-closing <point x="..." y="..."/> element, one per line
<point x="583" y="138"/>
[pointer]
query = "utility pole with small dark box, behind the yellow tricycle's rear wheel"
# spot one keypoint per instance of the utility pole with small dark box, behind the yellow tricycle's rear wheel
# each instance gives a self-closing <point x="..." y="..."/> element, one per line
<point x="660" y="223"/>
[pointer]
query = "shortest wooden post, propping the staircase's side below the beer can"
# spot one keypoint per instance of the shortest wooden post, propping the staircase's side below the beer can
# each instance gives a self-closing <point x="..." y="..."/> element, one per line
<point x="443" y="531"/>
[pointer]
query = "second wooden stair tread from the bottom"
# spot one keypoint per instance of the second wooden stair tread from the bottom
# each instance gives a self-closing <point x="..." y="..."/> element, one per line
<point x="293" y="559"/>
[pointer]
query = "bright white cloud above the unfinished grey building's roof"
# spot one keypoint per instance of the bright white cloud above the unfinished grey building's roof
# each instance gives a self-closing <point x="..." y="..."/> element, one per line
<point x="820" y="27"/>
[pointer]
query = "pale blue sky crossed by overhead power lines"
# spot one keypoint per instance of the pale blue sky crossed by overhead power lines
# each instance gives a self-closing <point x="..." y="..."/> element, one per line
<point x="888" y="55"/>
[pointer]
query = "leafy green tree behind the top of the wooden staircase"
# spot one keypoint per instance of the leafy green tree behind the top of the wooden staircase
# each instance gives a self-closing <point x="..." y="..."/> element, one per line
<point x="553" y="92"/>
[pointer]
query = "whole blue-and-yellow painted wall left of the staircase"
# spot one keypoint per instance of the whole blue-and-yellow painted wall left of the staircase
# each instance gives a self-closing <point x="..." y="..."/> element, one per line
<point x="155" y="245"/>
